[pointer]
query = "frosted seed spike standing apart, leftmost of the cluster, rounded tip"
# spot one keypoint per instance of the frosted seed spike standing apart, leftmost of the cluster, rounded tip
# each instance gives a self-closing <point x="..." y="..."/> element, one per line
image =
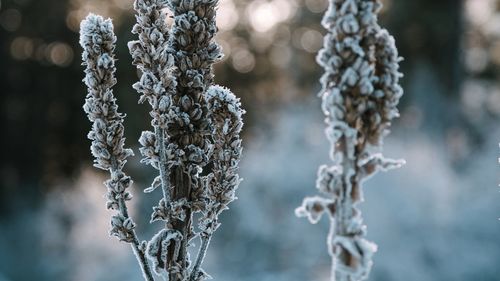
<point x="98" y="41"/>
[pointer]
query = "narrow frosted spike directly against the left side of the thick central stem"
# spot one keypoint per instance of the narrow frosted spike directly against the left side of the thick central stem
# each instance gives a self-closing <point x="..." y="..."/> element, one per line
<point x="151" y="56"/>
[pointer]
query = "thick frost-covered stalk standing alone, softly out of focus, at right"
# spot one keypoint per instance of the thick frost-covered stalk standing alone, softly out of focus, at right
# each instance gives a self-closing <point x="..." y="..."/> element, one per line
<point x="360" y="92"/>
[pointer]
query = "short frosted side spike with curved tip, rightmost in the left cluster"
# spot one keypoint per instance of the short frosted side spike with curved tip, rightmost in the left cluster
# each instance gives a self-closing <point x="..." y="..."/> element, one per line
<point x="221" y="184"/>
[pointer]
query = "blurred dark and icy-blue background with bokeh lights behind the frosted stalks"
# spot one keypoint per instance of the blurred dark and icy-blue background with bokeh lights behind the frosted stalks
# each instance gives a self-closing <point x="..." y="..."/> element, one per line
<point x="434" y="219"/>
